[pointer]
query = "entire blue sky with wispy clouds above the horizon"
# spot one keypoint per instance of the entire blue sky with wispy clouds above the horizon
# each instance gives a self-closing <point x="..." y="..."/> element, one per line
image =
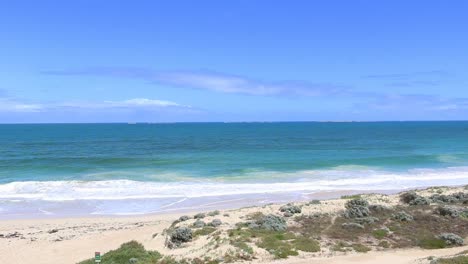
<point x="168" y="61"/>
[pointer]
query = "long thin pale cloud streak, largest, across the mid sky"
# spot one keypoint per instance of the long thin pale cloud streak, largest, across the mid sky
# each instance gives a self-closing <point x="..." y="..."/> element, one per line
<point x="214" y="81"/>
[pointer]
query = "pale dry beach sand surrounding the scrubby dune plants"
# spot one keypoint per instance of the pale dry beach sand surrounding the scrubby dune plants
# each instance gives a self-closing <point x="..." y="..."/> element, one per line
<point x="71" y="240"/>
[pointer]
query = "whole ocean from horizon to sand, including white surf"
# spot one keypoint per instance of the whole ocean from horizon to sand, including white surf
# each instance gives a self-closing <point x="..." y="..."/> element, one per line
<point x="120" y="169"/>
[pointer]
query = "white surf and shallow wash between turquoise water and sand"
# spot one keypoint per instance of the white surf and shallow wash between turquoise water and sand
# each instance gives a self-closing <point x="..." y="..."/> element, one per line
<point x="30" y="199"/>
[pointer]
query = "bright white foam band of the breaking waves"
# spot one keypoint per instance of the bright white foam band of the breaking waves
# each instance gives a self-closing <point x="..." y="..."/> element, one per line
<point x="306" y="181"/>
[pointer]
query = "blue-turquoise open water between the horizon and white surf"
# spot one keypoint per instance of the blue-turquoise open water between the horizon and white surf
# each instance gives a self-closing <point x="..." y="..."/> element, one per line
<point x="142" y="151"/>
